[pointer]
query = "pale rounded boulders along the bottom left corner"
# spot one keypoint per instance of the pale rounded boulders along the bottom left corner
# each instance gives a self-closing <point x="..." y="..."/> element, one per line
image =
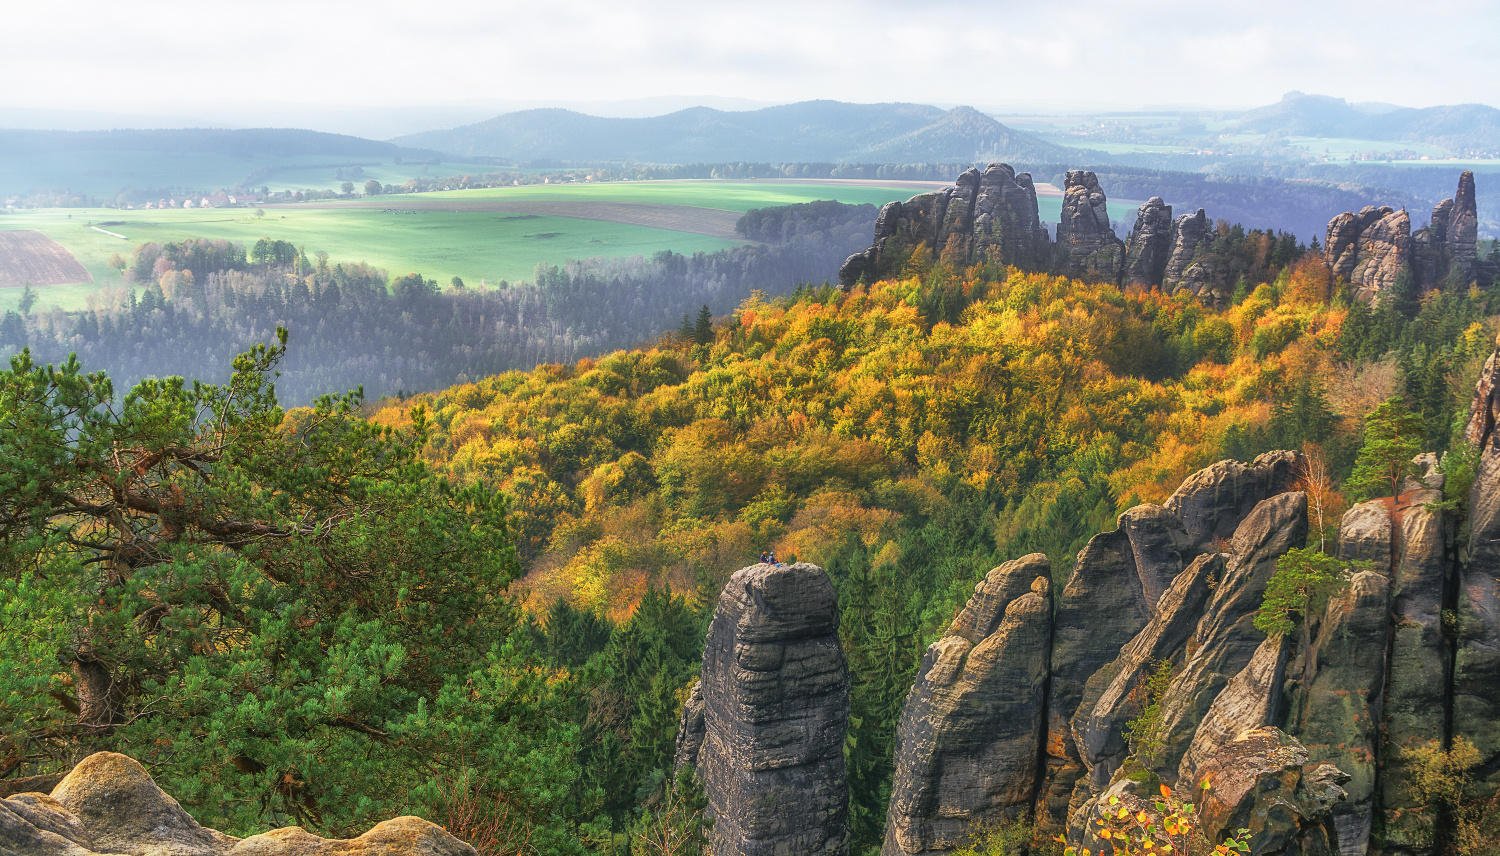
<point x="109" y="806"/>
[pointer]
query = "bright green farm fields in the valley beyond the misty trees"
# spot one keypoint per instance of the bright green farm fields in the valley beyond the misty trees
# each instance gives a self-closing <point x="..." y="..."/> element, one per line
<point x="440" y="245"/>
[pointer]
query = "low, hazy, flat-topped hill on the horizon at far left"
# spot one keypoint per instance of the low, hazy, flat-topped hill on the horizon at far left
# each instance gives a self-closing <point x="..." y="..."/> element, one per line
<point x="239" y="143"/>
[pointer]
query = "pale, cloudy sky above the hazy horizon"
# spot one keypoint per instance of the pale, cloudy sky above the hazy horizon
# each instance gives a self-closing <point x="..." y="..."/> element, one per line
<point x="437" y="62"/>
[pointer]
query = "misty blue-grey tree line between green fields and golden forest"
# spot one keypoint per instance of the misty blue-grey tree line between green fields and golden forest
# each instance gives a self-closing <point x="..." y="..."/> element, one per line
<point x="353" y="326"/>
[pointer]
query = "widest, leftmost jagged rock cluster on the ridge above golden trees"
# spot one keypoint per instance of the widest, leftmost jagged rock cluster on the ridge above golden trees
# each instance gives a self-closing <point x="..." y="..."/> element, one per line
<point x="985" y="217"/>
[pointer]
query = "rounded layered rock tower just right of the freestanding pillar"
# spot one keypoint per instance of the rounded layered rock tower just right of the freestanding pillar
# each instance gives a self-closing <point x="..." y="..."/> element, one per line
<point x="973" y="722"/>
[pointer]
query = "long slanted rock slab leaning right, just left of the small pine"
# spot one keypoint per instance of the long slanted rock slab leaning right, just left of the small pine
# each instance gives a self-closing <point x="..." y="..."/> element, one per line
<point x="1226" y="639"/>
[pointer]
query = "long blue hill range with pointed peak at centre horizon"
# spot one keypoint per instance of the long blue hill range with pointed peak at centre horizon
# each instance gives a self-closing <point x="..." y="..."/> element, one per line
<point x="814" y="131"/>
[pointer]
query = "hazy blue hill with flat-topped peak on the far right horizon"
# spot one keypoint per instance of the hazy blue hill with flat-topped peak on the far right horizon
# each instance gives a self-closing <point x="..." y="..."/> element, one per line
<point x="1457" y="128"/>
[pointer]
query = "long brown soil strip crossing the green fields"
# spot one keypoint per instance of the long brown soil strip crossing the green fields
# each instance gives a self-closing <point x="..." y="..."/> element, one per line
<point x="713" y="223"/>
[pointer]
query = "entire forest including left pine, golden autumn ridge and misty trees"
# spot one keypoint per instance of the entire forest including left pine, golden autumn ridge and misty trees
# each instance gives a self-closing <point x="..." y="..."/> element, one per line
<point x="563" y="533"/>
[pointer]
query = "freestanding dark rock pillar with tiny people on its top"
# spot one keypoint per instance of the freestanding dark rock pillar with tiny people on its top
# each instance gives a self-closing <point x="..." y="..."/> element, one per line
<point x="776" y="710"/>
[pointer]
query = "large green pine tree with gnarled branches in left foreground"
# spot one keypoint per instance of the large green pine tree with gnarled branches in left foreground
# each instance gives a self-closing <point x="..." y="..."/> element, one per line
<point x="286" y="617"/>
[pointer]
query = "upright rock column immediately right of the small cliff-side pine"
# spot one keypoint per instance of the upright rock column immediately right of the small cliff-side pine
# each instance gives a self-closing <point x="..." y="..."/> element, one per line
<point x="1339" y="719"/>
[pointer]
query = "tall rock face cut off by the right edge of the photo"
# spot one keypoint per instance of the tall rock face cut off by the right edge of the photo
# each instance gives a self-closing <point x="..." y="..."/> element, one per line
<point x="1477" y="663"/>
